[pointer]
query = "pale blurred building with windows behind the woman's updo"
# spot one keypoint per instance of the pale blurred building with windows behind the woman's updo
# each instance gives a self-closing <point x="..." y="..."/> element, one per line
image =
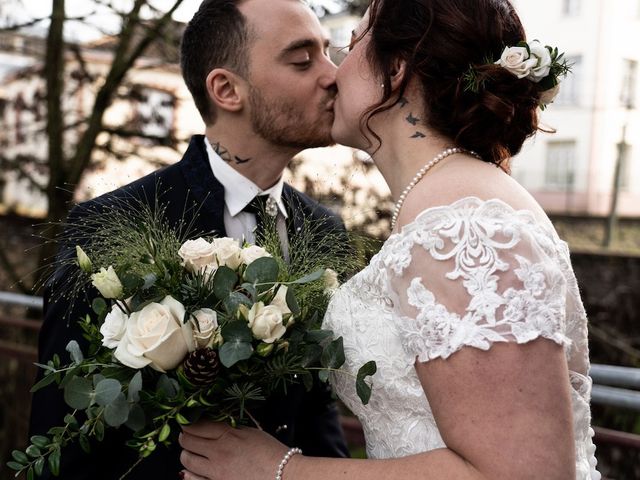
<point x="572" y="171"/>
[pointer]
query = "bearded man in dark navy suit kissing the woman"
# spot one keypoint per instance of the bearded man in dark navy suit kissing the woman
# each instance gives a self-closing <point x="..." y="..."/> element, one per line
<point x="259" y="73"/>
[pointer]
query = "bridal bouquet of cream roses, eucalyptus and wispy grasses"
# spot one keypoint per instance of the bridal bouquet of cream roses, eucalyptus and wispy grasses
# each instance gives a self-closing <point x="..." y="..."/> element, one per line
<point x="186" y="328"/>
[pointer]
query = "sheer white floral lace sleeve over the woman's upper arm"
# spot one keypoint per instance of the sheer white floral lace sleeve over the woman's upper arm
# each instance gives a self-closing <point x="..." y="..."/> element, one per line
<point x="472" y="274"/>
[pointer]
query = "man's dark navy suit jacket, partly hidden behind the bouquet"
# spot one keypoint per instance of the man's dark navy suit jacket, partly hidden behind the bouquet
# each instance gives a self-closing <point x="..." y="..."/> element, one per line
<point x="308" y="420"/>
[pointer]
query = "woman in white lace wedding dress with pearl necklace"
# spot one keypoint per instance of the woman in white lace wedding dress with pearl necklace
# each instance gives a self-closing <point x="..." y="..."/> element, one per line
<point x="471" y="308"/>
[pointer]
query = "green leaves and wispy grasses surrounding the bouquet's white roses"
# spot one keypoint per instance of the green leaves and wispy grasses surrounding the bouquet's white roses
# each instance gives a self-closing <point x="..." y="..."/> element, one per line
<point x="143" y="250"/>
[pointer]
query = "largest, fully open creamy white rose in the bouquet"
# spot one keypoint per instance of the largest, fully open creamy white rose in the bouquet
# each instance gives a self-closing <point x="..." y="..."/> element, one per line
<point x="156" y="336"/>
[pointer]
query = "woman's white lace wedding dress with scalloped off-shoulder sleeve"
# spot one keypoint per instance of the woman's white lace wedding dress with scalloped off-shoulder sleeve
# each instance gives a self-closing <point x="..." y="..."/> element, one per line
<point x="487" y="273"/>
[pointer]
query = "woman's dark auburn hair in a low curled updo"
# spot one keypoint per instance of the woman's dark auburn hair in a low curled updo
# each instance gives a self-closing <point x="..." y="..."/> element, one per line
<point x="440" y="41"/>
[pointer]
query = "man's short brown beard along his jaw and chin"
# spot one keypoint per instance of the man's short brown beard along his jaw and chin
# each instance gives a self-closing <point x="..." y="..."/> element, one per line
<point x="287" y="123"/>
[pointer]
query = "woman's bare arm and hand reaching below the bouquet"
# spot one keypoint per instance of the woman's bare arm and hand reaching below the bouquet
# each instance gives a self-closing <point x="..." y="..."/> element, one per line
<point x="504" y="413"/>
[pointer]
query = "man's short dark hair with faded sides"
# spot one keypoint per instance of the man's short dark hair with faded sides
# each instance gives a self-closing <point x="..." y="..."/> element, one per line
<point x="217" y="36"/>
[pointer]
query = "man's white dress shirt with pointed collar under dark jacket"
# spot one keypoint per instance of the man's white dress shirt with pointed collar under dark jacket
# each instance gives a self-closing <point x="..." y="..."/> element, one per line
<point x="239" y="191"/>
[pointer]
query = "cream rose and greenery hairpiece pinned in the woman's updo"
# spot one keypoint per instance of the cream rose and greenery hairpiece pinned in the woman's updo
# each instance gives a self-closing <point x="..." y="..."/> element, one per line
<point x="542" y="65"/>
